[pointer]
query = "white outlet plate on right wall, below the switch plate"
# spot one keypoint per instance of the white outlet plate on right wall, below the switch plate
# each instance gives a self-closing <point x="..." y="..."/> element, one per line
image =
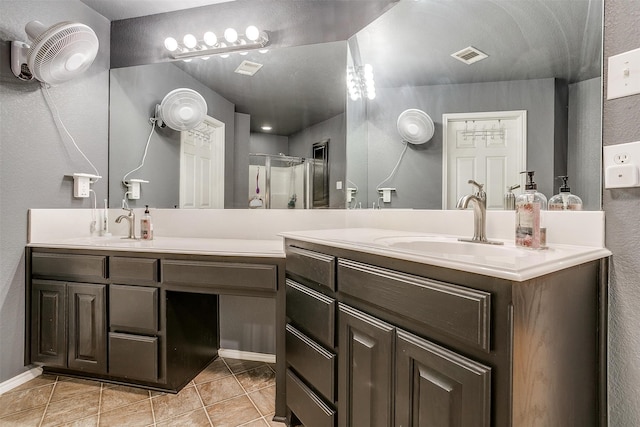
<point x="621" y="165"/>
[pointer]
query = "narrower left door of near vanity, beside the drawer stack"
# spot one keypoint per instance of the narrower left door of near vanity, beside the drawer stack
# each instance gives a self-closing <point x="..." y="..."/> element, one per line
<point x="364" y="369"/>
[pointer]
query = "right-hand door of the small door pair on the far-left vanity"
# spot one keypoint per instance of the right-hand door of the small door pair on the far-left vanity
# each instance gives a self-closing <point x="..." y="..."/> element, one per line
<point x="87" y="327"/>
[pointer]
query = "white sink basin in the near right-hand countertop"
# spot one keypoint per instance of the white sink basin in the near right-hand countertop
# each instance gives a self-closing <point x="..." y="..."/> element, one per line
<point x="448" y="246"/>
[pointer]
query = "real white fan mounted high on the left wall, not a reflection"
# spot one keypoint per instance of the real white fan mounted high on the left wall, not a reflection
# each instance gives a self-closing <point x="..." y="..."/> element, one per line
<point x="57" y="54"/>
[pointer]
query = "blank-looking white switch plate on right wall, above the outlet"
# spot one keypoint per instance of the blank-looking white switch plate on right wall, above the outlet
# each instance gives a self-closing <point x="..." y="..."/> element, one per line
<point x="623" y="78"/>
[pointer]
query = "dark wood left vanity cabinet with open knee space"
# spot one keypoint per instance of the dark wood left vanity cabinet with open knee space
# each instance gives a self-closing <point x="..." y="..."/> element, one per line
<point x="146" y="319"/>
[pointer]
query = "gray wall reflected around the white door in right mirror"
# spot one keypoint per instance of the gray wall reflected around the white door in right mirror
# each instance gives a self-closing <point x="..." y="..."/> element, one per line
<point x="418" y="180"/>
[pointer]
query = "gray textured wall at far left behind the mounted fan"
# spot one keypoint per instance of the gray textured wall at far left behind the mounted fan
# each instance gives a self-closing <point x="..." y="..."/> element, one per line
<point x="34" y="159"/>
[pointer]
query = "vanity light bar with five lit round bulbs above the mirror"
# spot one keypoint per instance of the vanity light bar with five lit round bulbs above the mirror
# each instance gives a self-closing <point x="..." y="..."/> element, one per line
<point x="210" y="45"/>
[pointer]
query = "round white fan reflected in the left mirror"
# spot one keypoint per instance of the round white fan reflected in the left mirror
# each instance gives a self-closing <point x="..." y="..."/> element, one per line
<point x="181" y="109"/>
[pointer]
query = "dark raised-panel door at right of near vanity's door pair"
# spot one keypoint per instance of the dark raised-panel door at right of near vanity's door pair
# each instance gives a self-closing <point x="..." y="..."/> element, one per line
<point x="436" y="387"/>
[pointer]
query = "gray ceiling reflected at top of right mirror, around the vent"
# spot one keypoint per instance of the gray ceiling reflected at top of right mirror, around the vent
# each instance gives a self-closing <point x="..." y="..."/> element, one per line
<point x="412" y="43"/>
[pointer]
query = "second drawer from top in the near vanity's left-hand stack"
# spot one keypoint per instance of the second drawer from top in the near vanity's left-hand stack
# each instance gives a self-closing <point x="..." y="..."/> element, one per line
<point x="312" y="312"/>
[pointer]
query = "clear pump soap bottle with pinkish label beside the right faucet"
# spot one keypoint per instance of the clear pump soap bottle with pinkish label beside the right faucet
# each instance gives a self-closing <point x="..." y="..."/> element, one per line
<point x="530" y="207"/>
